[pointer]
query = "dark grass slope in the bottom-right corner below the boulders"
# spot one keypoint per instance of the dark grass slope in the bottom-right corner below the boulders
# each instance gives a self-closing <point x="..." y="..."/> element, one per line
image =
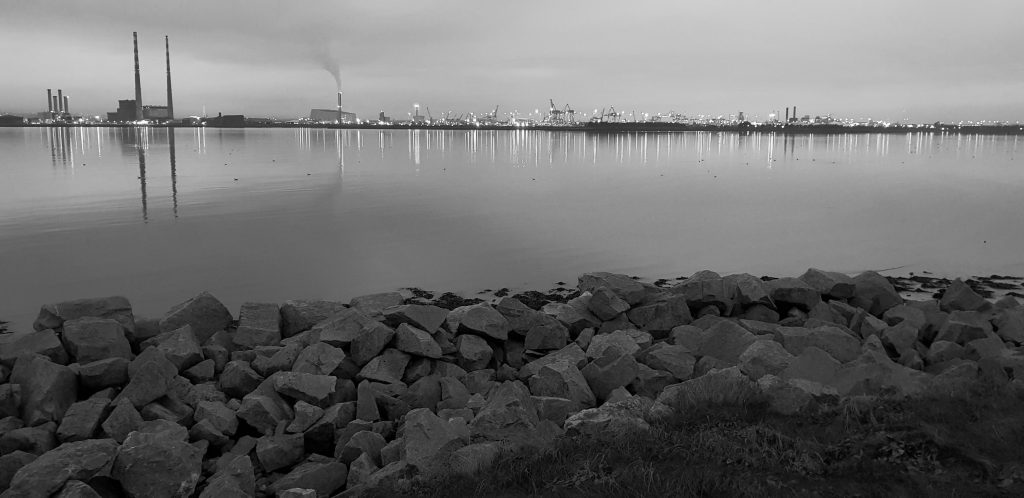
<point x="969" y="445"/>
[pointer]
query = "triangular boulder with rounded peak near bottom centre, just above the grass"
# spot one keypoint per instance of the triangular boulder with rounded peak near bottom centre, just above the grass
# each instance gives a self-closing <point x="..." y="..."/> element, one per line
<point x="509" y="409"/>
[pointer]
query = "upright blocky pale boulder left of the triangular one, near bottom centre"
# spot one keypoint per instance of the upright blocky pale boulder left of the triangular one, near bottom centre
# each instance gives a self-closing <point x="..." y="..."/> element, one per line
<point x="429" y="440"/>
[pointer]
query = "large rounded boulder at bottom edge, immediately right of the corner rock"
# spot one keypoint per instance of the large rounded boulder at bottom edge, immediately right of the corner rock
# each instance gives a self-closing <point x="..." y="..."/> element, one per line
<point x="157" y="466"/>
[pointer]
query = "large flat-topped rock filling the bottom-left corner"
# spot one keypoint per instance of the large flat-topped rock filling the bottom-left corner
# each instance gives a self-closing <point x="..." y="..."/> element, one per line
<point x="47" y="475"/>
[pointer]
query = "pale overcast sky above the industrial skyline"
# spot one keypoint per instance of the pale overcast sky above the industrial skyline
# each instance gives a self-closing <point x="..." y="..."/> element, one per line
<point x="921" y="61"/>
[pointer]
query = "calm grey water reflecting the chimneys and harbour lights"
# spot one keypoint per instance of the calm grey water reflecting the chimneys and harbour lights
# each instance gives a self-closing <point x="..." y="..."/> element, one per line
<point x="277" y="215"/>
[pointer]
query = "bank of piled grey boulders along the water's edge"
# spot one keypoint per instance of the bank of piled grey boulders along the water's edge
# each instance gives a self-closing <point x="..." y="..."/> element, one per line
<point x="314" y="398"/>
